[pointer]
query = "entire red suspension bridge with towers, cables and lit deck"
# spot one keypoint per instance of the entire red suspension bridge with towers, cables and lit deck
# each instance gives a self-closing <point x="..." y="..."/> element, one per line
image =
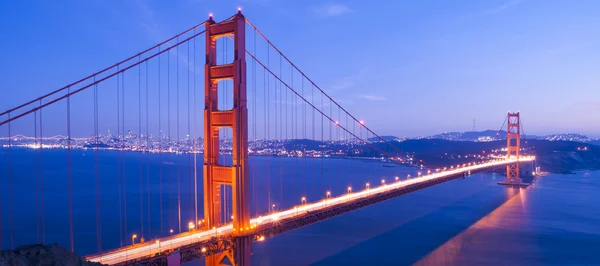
<point x="256" y="102"/>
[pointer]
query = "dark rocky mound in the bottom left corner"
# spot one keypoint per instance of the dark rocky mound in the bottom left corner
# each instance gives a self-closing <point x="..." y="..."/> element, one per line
<point x="50" y="255"/>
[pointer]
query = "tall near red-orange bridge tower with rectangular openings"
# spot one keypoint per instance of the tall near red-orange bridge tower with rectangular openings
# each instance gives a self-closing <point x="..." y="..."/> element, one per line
<point x="216" y="174"/>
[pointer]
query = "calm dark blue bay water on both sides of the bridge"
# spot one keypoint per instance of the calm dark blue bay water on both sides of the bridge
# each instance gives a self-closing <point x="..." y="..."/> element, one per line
<point x="470" y="221"/>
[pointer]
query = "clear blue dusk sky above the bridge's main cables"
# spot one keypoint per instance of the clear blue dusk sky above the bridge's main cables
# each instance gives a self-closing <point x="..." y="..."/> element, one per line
<point x="408" y="68"/>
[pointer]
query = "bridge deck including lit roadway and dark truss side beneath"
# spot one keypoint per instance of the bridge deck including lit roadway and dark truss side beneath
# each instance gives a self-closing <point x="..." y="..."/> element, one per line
<point x="194" y="244"/>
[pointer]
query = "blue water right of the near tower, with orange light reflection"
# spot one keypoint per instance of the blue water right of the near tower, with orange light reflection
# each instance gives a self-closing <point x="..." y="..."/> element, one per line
<point x="463" y="222"/>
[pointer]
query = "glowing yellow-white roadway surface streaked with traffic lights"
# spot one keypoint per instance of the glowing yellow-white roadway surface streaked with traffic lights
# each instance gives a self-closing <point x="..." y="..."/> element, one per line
<point x="149" y="248"/>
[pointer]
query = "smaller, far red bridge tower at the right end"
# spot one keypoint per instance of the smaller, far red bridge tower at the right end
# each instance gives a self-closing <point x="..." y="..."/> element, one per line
<point x="513" y="145"/>
